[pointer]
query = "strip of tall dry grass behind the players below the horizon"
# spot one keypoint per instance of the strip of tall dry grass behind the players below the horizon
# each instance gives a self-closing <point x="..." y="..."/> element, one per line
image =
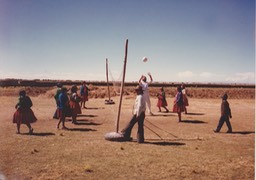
<point x="102" y="92"/>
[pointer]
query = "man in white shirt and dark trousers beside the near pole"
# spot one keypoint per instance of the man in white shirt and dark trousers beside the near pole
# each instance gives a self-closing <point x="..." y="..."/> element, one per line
<point x="139" y="109"/>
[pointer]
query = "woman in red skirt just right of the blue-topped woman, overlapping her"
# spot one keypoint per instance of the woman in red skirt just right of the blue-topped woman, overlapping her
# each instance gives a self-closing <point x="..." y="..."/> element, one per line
<point x="74" y="103"/>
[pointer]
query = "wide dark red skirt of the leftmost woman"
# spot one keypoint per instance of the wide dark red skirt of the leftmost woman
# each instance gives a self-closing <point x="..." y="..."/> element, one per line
<point x="24" y="116"/>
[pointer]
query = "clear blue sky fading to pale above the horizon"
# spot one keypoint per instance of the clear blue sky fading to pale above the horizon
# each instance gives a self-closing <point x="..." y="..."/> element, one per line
<point x="184" y="40"/>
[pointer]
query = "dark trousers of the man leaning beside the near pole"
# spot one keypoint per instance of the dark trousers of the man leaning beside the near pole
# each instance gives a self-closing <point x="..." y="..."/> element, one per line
<point x="128" y="129"/>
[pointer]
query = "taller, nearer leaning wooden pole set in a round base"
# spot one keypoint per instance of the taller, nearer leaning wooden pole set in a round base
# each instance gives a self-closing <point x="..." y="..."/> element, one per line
<point x="122" y="87"/>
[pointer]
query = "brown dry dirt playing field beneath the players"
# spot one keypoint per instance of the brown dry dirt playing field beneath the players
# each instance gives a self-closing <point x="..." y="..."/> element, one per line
<point x="172" y="150"/>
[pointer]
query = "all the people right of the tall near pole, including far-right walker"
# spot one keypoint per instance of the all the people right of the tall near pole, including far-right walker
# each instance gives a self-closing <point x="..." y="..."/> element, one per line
<point x="180" y="103"/>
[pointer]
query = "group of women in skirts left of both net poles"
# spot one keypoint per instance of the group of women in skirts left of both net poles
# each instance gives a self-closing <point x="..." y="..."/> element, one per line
<point x="67" y="106"/>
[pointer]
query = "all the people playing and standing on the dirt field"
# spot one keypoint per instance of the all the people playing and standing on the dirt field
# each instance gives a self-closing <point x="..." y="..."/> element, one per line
<point x="70" y="106"/>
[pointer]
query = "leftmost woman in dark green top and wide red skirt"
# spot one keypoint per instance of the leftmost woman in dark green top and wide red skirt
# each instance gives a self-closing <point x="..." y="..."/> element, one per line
<point x="24" y="114"/>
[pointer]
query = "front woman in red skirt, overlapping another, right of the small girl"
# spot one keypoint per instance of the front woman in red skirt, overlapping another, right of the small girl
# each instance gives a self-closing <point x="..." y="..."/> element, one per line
<point x="178" y="106"/>
